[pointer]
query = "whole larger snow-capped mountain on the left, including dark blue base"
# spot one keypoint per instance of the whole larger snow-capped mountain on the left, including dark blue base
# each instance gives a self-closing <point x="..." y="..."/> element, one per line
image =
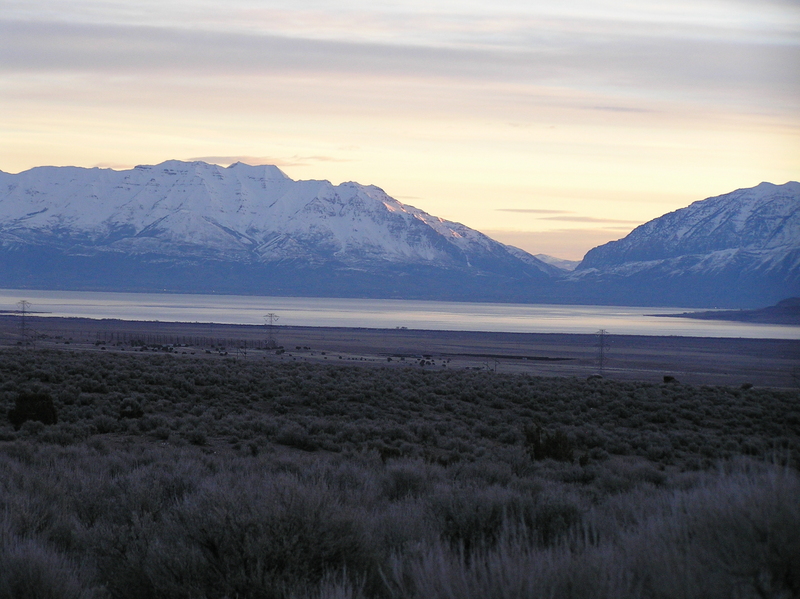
<point x="237" y="224"/>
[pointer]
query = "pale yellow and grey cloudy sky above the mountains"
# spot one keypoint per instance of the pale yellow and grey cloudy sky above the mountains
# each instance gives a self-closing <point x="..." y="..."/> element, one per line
<point x="554" y="127"/>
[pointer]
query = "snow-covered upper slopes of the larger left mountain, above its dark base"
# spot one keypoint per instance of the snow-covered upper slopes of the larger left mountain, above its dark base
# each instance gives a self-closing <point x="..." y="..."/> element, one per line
<point x="240" y="213"/>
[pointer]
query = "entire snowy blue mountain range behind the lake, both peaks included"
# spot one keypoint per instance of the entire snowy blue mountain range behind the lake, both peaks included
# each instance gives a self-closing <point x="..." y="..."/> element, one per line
<point x="200" y="228"/>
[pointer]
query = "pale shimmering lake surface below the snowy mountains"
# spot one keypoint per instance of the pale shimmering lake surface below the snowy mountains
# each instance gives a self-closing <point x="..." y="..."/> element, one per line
<point x="412" y="314"/>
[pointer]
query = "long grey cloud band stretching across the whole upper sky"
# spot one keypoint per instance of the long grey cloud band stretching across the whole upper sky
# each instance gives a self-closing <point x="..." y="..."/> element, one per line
<point x="649" y="62"/>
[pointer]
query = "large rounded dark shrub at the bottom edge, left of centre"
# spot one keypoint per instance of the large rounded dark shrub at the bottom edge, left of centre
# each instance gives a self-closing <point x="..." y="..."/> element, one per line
<point x="241" y="540"/>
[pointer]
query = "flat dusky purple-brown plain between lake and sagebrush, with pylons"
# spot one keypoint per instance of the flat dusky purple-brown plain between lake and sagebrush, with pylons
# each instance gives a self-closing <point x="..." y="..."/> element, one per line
<point x="695" y="360"/>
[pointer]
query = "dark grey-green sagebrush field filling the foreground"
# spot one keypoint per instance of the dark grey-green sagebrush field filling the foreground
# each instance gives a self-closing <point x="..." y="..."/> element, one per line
<point x="173" y="477"/>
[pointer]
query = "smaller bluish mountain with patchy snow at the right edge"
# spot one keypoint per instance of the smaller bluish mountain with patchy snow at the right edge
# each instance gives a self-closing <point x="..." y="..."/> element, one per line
<point x="741" y="249"/>
